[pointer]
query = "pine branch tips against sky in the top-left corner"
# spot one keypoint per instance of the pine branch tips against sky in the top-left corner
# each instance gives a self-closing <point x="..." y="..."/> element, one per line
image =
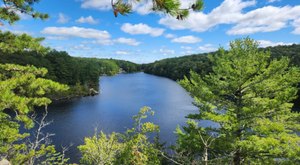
<point x="11" y="9"/>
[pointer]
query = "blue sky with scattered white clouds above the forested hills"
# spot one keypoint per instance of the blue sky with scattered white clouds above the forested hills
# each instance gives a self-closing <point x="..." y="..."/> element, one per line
<point x="88" y="28"/>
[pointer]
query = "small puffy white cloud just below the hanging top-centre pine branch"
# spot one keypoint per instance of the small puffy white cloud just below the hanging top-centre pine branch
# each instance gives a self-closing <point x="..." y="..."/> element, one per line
<point x="141" y="29"/>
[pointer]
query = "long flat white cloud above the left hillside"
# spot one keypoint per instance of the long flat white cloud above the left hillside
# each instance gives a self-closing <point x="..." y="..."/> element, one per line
<point x="77" y="32"/>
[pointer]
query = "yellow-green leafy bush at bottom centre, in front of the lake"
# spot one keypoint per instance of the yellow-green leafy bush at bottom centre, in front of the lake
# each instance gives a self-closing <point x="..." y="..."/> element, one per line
<point x="132" y="147"/>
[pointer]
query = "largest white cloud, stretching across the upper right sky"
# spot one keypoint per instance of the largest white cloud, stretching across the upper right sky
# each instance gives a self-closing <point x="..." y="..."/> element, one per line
<point x="265" y="19"/>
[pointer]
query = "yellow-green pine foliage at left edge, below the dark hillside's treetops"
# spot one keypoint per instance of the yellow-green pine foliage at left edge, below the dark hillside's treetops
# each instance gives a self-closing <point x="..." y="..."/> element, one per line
<point x="22" y="89"/>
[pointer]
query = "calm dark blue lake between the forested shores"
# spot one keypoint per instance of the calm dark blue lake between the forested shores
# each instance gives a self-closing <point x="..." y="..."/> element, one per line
<point x="121" y="97"/>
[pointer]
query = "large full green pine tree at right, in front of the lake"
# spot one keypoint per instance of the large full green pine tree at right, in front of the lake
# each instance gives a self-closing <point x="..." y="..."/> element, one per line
<point x="249" y="96"/>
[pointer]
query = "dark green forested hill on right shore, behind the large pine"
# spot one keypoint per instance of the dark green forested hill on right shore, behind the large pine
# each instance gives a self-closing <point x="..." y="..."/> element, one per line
<point x="177" y="68"/>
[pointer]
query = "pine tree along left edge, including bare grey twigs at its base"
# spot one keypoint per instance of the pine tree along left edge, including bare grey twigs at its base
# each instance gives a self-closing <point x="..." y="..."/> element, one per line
<point x="22" y="89"/>
